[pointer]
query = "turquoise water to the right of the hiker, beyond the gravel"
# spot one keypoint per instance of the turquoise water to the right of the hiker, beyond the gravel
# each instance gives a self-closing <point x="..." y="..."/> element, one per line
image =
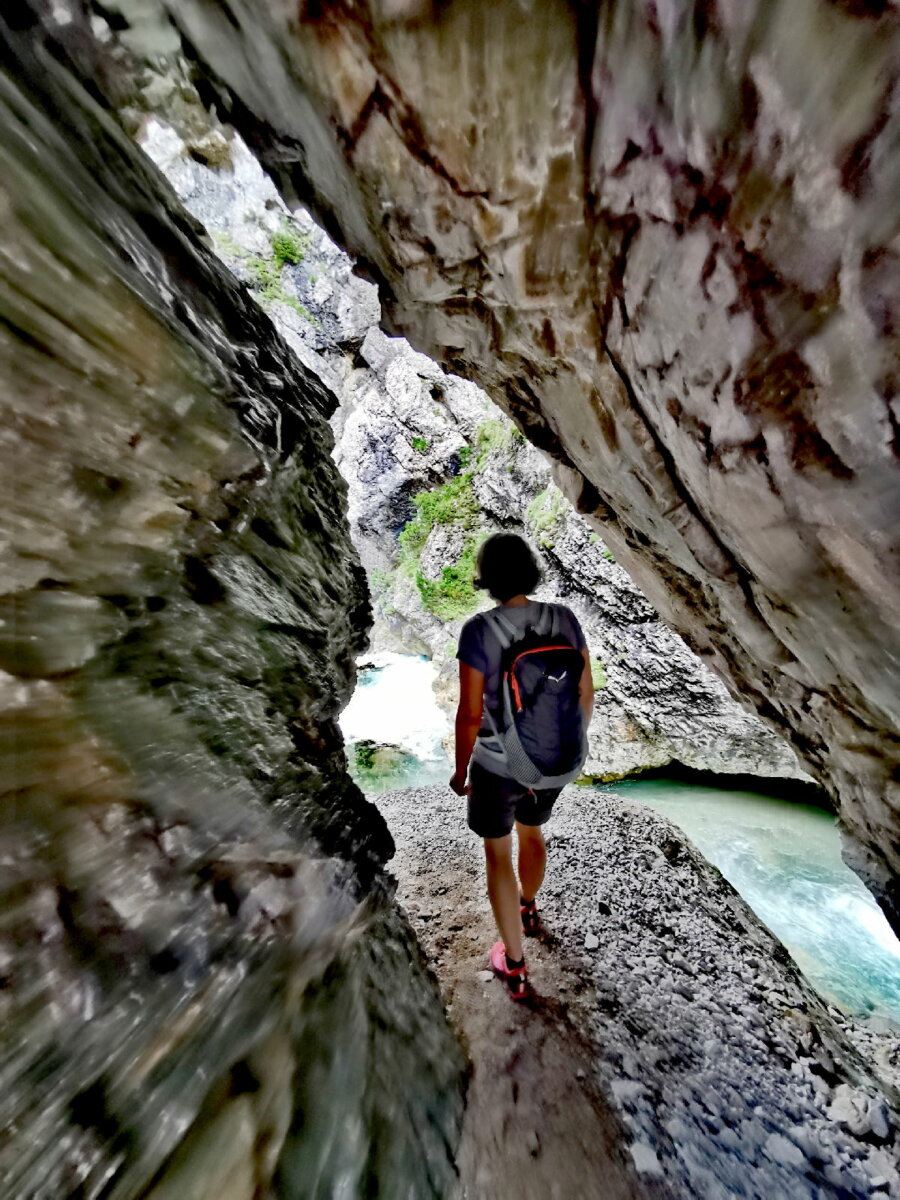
<point x="784" y="859"/>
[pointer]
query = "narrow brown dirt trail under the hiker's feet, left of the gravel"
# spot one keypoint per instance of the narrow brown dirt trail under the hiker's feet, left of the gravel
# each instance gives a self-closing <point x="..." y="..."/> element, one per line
<point x="537" y="1126"/>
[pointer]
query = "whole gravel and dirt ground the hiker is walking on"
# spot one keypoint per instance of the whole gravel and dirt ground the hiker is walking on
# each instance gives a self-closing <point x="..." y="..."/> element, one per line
<point x="675" y="1049"/>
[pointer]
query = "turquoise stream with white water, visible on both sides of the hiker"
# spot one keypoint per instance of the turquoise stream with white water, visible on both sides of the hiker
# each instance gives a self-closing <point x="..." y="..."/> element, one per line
<point x="783" y="857"/>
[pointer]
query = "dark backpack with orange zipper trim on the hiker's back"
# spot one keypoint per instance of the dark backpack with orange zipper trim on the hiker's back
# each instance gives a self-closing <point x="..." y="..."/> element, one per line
<point x="539" y="729"/>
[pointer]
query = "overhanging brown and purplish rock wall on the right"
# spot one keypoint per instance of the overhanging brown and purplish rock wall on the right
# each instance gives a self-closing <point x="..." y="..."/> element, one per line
<point x="664" y="241"/>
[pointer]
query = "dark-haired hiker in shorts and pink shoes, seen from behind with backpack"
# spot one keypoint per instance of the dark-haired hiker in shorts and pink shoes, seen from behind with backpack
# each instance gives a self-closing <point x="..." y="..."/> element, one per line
<point x="526" y="698"/>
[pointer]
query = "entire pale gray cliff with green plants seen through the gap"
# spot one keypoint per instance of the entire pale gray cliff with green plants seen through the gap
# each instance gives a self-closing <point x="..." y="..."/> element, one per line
<point x="404" y="428"/>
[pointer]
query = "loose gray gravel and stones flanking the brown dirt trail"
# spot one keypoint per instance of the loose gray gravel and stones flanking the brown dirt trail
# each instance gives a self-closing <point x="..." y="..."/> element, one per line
<point x="743" y="1084"/>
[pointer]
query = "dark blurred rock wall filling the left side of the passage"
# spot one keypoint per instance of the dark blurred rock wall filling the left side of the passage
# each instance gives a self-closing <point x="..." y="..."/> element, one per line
<point x="197" y="941"/>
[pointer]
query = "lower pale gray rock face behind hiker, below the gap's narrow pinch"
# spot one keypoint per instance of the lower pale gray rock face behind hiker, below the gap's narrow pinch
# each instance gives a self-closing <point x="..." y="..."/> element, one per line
<point x="405" y="429"/>
